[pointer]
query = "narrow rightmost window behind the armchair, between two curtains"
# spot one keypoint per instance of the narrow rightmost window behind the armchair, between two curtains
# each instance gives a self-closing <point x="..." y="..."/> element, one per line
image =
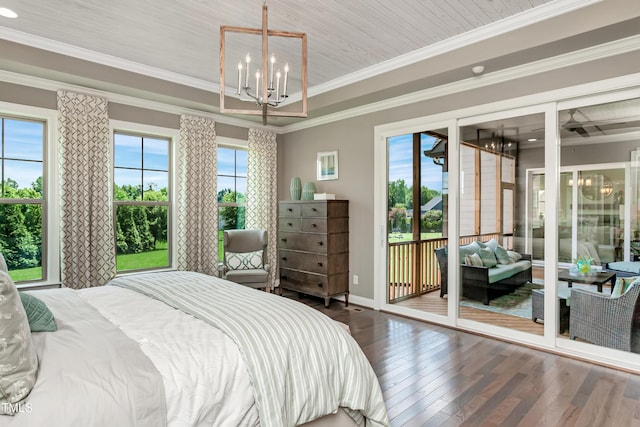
<point x="232" y="191"/>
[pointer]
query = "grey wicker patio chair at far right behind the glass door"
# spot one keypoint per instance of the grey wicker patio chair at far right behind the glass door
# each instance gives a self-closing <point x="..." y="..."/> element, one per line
<point x="603" y="320"/>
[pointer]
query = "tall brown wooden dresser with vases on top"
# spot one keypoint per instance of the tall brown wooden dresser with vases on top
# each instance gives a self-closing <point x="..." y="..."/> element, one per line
<point x="313" y="247"/>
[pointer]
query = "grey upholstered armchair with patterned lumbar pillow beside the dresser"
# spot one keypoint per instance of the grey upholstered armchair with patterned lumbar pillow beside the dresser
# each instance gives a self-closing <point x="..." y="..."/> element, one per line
<point x="245" y="258"/>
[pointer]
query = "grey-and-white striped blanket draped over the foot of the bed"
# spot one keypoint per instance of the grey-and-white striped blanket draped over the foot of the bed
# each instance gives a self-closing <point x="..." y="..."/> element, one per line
<point x="302" y="364"/>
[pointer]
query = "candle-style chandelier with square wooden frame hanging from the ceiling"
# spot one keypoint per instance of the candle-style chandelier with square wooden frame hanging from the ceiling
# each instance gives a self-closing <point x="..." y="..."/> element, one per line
<point x="264" y="86"/>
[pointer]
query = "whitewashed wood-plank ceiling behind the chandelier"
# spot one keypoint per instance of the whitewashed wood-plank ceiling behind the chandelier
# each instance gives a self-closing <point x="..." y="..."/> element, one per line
<point x="182" y="36"/>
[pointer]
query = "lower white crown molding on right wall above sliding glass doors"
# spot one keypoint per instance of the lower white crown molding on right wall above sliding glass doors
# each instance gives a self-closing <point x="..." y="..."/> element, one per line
<point x="605" y="50"/>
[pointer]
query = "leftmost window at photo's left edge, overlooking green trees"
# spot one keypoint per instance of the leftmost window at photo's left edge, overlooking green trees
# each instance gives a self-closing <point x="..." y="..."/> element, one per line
<point x="22" y="198"/>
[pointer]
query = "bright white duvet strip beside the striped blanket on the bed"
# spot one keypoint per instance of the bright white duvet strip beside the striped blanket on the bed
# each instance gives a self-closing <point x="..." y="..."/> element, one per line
<point x="203" y="385"/>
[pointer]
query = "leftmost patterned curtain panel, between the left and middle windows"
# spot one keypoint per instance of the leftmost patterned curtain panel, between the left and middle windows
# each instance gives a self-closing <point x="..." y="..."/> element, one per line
<point x="86" y="191"/>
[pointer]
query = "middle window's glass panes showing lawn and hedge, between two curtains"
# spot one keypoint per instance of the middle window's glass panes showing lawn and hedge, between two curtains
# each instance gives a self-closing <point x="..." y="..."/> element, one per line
<point x="141" y="201"/>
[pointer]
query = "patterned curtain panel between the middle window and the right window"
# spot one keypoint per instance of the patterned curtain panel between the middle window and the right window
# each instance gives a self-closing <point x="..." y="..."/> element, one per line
<point x="197" y="245"/>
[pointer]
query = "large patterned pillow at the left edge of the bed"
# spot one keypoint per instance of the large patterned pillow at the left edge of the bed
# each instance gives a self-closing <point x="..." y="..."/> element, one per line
<point x="18" y="360"/>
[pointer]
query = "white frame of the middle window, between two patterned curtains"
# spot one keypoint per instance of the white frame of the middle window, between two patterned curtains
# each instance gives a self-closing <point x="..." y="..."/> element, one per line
<point x="152" y="132"/>
